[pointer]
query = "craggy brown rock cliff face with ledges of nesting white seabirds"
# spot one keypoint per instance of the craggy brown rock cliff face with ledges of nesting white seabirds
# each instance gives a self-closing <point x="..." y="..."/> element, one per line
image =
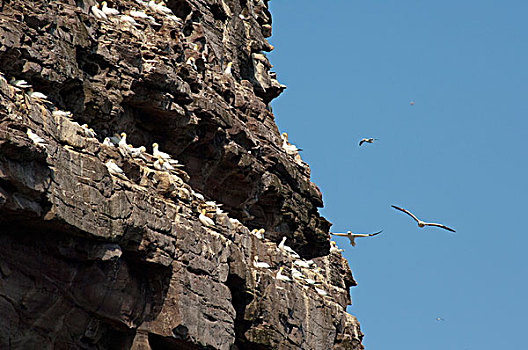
<point x="96" y="260"/>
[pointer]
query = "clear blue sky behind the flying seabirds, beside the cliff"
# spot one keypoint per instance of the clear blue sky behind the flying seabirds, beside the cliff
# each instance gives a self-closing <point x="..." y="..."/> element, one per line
<point x="458" y="156"/>
